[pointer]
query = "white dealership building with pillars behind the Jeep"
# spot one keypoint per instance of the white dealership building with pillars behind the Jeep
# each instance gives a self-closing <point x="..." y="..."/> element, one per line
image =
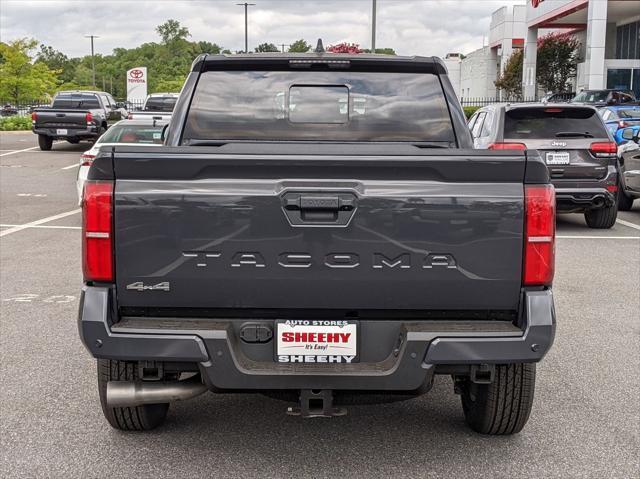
<point x="608" y="31"/>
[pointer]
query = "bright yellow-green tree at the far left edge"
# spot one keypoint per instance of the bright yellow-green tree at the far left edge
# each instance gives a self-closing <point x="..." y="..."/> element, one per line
<point x="21" y="79"/>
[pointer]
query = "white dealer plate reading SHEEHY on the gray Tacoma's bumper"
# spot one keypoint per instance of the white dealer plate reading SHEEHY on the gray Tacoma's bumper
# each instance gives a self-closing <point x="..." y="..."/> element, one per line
<point x="317" y="349"/>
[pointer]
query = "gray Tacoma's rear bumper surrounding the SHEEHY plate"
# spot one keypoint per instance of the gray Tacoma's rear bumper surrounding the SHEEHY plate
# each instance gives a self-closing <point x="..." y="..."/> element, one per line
<point x="417" y="350"/>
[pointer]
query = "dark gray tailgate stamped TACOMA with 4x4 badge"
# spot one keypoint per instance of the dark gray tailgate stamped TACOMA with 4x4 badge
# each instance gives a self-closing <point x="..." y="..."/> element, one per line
<point x="437" y="230"/>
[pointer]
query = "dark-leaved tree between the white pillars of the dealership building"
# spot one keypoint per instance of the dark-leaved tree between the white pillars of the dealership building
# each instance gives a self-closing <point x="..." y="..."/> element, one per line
<point x="557" y="61"/>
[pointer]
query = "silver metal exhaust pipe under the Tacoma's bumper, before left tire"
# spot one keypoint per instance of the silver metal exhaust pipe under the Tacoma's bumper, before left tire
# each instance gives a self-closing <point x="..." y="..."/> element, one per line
<point x="139" y="393"/>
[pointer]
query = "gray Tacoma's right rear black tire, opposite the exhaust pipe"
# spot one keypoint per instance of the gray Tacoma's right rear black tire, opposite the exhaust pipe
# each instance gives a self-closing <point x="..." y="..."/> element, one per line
<point x="502" y="407"/>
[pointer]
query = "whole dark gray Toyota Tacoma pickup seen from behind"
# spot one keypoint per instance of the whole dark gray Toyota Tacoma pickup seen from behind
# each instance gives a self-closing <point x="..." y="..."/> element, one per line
<point x="317" y="228"/>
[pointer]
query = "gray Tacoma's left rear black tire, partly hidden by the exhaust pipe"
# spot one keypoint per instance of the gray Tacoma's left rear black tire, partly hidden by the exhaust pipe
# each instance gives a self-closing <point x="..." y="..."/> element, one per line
<point x="137" y="418"/>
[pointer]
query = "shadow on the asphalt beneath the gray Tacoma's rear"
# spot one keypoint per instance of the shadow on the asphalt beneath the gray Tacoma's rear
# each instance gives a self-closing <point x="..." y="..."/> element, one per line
<point x="428" y="431"/>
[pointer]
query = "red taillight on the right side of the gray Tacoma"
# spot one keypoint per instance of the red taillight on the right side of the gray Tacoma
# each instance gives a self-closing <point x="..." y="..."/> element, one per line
<point x="540" y="233"/>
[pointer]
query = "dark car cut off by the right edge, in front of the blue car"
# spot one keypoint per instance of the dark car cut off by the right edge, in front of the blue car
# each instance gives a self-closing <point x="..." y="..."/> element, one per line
<point x="629" y="165"/>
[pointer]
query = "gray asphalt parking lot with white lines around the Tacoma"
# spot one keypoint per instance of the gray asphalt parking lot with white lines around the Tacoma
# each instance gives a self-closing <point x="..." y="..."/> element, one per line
<point x="585" y="422"/>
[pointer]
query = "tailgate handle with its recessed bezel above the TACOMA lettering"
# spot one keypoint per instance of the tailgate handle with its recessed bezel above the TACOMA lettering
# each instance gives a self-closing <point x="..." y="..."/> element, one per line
<point x="317" y="209"/>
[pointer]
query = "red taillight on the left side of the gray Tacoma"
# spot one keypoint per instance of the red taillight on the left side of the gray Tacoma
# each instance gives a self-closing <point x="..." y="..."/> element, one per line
<point x="97" y="238"/>
